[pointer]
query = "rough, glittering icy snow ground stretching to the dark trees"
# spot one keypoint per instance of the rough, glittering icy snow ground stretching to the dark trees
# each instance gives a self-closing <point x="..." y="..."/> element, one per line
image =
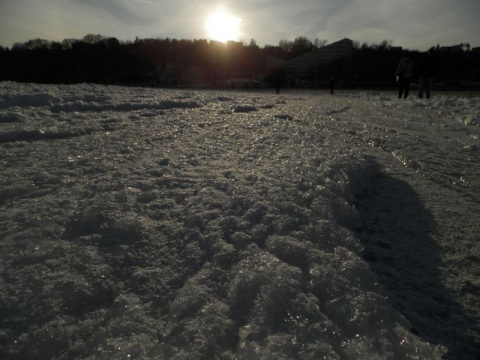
<point x="178" y="224"/>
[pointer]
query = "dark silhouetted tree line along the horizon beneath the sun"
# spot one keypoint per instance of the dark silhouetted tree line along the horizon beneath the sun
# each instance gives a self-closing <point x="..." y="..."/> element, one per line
<point x="167" y="62"/>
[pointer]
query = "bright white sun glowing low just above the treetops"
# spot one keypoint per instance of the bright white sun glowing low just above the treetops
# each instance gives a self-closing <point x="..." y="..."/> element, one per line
<point x="222" y="26"/>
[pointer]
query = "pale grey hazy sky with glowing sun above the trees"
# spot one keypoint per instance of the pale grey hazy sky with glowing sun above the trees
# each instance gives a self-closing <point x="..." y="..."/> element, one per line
<point x="413" y="24"/>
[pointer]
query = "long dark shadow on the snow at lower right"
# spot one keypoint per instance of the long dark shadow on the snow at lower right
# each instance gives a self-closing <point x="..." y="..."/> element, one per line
<point x="396" y="234"/>
